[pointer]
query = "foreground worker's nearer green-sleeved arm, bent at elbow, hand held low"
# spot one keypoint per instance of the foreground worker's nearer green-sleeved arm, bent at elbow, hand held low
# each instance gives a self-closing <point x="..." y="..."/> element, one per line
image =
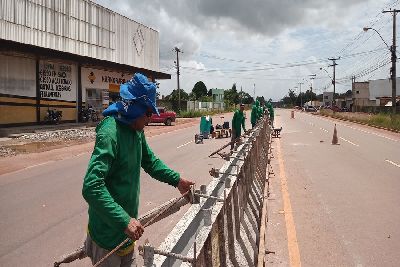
<point x="94" y="189"/>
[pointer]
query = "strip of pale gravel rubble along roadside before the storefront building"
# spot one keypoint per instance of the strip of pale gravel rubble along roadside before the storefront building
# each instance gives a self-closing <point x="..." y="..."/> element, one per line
<point x="62" y="135"/>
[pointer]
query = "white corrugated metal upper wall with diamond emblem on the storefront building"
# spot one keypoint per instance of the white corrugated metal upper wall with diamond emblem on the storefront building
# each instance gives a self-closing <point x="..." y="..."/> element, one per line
<point x="80" y="27"/>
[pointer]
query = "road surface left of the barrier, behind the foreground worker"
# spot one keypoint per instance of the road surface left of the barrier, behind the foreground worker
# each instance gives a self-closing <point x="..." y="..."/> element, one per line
<point x="44" y="216"/>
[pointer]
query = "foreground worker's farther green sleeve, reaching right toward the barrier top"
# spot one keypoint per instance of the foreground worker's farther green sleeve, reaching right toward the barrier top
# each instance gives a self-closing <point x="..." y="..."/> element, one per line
<point x="156" y="168"/>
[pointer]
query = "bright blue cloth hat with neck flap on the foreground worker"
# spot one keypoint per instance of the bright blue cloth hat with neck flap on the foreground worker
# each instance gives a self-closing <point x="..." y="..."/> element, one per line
<point x="138" y="94"/>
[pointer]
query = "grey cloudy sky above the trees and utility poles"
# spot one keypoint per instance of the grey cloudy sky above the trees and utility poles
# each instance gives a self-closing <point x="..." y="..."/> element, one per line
<point x="268" y="45"/>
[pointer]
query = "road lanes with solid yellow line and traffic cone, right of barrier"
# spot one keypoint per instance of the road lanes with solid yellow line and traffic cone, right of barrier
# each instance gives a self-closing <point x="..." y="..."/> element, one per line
<point x="334" y="205"/>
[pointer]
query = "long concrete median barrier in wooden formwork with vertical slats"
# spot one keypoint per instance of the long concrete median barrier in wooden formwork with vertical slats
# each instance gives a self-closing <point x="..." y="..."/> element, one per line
<point x="223" y="228"/>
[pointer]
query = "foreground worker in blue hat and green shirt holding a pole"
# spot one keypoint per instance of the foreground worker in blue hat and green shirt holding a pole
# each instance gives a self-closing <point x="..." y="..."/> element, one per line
<point x="111" y="185"/>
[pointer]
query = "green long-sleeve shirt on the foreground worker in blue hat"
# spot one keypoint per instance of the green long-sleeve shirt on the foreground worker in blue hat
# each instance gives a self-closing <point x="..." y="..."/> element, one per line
<point x="112" y="182"/>
